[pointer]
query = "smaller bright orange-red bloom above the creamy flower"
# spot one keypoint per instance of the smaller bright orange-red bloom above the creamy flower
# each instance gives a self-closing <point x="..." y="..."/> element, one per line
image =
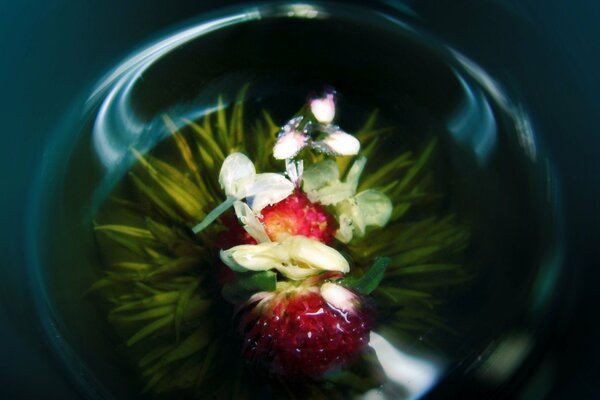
<point x="297" y="215"/>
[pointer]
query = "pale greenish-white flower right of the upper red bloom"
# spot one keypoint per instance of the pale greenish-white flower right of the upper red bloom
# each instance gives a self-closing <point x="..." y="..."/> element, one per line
<point x="355" y="212"/>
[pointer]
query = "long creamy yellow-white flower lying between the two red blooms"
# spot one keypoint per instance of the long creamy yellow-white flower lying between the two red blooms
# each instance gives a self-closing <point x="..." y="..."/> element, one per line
<point x="296" y="257"/>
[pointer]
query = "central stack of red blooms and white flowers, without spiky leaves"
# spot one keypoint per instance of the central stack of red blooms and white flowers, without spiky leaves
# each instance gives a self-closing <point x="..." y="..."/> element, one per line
<point x="288" y="267"/>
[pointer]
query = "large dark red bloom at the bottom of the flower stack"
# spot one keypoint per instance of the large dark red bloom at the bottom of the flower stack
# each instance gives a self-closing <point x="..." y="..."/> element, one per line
<point x="299" y="335"/>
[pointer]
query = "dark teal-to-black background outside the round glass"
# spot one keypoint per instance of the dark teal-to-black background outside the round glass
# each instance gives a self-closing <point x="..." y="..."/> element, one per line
<point x="53" y="52"/>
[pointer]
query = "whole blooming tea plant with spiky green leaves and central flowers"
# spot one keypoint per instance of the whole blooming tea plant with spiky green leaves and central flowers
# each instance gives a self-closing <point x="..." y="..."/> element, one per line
<point x="215" y="262"/>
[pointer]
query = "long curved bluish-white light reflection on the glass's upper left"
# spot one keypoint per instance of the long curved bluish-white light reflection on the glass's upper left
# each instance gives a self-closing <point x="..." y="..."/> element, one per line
<point x="117" y="127"/>
